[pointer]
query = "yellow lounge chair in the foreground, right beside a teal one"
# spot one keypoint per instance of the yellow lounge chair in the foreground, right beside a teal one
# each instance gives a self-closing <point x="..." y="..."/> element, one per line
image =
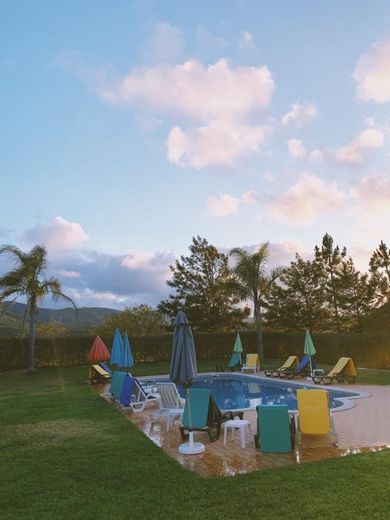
<point x="314" y="416"/>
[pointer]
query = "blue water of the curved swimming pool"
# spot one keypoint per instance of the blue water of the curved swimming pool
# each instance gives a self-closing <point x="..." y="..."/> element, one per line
<point x="243" y="392"/>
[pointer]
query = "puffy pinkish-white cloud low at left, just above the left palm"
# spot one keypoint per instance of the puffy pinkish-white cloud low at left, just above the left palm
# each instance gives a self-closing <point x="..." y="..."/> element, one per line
<point x="60" y="237"/>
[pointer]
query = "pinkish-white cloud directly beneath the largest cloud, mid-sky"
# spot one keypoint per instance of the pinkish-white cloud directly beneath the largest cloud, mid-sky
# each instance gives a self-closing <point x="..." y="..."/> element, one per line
<point x="220" y="143"/>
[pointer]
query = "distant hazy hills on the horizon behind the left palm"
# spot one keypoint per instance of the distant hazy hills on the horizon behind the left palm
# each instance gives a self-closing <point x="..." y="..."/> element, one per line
<point x="87" y="317"/>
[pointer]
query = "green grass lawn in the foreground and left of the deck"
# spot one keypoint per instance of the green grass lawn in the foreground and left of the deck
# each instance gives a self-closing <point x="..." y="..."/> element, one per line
<point x="65" y="453"/>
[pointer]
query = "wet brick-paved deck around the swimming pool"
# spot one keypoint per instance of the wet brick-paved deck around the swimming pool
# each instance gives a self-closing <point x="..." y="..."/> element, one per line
<point x="365" y="427"/>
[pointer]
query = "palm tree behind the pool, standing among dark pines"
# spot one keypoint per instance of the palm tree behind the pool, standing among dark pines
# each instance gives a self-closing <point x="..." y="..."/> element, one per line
<point x="252" y="282"/>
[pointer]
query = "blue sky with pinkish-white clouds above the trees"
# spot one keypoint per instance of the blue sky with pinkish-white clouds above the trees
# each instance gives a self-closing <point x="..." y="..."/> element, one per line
<point x="128" y="127"/>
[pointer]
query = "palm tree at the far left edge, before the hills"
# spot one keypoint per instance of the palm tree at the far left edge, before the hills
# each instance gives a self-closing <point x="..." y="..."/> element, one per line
<point x="27" y="280"/>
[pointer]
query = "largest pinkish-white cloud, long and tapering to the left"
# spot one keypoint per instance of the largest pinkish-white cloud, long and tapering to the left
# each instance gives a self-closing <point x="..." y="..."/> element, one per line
<point x="195" y="91"/>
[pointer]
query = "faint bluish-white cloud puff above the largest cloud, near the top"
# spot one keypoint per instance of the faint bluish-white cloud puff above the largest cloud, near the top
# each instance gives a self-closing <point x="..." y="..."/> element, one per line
<point x="166" y="43"/>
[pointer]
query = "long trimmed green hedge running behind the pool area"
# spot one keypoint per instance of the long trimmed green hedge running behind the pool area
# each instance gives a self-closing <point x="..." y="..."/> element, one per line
<point x="367" y="350"/>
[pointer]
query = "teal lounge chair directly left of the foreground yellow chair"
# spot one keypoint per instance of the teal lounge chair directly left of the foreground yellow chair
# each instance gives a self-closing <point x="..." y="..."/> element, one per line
<point x="275" y="429"/>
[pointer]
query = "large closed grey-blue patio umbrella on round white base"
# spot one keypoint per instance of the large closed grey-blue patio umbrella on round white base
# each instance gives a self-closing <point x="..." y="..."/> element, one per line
<point x="182" y="371"/>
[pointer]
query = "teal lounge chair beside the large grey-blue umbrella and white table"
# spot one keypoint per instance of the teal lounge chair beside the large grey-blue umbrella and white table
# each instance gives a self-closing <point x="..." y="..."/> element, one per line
<point x="205" y="414"/>
